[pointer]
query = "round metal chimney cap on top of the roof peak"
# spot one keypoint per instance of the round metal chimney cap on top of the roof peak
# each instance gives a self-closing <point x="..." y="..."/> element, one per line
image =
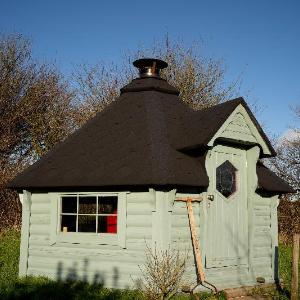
<point x="149" y="67"/>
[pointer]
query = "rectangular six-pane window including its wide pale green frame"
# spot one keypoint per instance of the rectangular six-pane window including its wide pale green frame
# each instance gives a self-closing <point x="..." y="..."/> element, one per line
<point x="89" y="218"/>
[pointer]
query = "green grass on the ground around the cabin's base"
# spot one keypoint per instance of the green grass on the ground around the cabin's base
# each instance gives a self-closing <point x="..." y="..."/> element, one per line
<point x="12" y="287"/>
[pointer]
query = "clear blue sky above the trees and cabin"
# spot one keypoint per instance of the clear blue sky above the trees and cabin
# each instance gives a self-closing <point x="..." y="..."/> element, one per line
<point x="257" y="40"/>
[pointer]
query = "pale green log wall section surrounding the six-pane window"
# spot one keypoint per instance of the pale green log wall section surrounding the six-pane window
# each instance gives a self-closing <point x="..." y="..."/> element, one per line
<point x="110" y="265"/>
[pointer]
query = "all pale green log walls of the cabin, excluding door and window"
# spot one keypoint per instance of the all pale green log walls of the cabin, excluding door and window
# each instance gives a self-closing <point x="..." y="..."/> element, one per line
<point x="152" y="218"/>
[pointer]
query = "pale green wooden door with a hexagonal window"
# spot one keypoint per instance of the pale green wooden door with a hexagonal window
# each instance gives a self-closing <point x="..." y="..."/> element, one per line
<point x="227" y="217"/>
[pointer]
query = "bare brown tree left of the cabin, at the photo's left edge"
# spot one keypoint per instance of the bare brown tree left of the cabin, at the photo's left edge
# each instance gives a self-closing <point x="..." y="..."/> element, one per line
<point x="35" y="113"/>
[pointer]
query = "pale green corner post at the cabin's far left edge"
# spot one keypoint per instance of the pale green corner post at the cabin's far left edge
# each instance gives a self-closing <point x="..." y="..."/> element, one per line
<point x="24" y="245"/>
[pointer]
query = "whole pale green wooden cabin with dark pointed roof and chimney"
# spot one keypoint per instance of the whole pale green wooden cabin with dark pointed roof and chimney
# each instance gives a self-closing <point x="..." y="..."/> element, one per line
<point x="93" y="202"/>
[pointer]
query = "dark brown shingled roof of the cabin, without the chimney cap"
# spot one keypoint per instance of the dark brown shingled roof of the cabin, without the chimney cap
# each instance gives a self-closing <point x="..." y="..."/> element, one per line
<point x="139" y="140"/>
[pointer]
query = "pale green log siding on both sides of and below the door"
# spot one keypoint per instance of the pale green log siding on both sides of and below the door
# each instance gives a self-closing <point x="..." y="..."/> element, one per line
<point x="262" y="247"/>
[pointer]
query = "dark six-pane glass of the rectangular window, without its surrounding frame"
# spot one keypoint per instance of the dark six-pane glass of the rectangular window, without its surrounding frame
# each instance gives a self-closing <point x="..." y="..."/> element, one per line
<point x="89" y="214"/>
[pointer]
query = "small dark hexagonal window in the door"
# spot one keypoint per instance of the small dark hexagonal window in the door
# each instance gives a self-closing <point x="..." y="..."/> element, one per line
<point x="226" y="179"/>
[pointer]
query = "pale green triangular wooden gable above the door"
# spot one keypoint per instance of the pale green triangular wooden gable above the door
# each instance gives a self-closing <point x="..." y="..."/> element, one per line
<point x="239" y="126"/>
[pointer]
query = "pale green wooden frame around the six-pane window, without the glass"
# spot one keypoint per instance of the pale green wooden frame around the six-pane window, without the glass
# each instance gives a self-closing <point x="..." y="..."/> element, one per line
<point x="118" y="239"/>
